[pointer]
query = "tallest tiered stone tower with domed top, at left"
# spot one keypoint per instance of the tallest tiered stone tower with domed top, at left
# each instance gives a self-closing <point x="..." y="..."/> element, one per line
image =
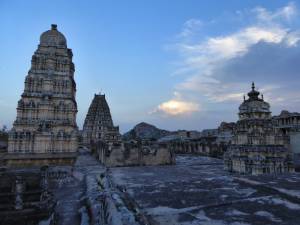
<point x="45" y="130"/>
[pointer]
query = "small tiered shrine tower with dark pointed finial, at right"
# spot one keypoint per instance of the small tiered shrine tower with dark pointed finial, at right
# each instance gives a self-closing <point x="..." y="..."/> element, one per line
<point x="257" y="146"/>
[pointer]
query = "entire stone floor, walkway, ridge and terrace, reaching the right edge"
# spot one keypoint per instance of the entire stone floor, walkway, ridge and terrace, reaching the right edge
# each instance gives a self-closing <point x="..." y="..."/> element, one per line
<point x="194" y="191"/>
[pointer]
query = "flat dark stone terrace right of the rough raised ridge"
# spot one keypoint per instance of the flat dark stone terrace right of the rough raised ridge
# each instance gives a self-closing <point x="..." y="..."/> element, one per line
<point x="198" y="191"/>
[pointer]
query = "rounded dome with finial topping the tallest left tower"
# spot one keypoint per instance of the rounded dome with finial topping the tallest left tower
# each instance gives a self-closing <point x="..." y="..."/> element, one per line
<point x="53" y="38"/>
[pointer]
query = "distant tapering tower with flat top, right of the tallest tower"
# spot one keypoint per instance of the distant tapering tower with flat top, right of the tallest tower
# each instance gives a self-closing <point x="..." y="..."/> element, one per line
<point x="98" y="124"/>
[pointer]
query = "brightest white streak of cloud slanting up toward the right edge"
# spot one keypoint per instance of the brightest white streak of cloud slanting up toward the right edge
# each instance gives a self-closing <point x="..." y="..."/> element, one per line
<point x="226" y="47"/>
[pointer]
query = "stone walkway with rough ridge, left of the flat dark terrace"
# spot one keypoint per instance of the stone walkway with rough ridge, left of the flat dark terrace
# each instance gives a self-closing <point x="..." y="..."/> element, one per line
<point x="85" y="196"/>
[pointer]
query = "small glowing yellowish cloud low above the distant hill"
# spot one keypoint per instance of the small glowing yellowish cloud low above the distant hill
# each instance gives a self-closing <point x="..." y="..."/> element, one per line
<point x="175" y="107"/>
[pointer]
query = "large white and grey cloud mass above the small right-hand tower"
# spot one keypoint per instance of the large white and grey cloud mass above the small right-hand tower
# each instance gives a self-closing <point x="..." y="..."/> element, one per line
<point x="220" y="68"/>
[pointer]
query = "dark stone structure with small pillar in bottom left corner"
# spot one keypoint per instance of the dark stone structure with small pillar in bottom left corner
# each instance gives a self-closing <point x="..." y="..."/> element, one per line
<point x="24" y="197"/>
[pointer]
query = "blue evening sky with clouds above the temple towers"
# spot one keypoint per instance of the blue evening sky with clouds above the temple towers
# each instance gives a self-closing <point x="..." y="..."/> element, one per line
<point x="175" y="64"/>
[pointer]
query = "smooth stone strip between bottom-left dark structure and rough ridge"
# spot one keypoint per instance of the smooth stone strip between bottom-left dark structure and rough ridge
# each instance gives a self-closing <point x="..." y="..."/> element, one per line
<point x="71" y="191"/>
